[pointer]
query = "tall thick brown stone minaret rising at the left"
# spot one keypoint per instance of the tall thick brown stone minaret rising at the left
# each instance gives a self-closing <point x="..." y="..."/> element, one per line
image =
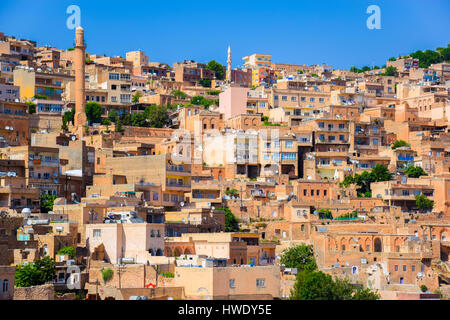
<point x="80" y="115"/>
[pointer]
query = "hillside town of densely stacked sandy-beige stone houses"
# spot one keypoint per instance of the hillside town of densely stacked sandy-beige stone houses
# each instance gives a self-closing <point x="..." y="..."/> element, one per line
<point x="123" y="178"/>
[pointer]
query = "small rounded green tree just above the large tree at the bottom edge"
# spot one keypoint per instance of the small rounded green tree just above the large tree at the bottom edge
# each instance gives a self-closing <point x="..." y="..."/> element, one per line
<point x="300" y="257"/>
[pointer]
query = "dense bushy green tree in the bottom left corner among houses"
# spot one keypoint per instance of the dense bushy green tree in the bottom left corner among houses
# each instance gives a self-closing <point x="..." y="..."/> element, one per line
<point x="35" y="274"/>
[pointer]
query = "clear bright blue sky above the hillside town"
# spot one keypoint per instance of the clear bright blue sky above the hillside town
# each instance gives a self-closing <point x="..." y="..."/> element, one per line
<point x="303" y="32"/>
